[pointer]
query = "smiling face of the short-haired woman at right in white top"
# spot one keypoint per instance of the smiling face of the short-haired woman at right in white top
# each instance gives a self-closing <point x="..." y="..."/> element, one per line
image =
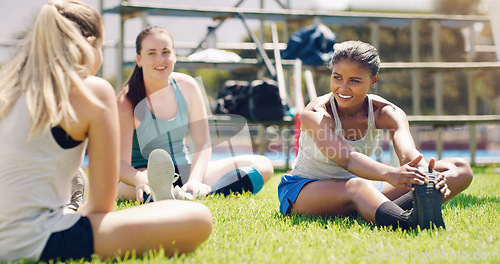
<point x="350" y="82"/>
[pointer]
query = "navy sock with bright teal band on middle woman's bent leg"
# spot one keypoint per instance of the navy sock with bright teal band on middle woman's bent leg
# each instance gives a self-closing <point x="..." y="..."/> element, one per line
<point x="242" y="179"/>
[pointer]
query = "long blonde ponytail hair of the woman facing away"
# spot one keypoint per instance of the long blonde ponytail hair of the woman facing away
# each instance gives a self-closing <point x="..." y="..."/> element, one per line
<point x="53" y="60"/>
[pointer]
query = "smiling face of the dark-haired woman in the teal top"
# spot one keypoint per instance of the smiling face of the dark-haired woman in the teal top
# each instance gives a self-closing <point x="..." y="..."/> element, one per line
<point x="157" y="57"/>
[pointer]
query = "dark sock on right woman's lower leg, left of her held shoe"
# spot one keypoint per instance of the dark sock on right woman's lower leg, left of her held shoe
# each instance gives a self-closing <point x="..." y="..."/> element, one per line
<point x="389" y="214"/>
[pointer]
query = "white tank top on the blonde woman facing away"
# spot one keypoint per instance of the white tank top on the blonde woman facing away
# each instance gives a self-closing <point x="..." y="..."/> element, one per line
<point x="35" y="187"/>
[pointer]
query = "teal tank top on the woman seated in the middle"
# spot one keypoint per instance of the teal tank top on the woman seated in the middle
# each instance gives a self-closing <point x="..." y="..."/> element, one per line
<point x="155" y="133"/>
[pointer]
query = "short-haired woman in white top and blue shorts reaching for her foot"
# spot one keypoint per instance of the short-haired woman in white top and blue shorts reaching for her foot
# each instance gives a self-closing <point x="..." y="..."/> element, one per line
<point x="334" y="175"/>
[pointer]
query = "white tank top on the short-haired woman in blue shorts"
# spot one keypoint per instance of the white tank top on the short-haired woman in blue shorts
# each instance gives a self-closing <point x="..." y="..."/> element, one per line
<point x="312" y="163"/>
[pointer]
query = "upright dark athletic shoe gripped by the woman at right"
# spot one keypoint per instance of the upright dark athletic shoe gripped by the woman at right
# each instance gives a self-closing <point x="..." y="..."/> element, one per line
<point x="427" y="201"/>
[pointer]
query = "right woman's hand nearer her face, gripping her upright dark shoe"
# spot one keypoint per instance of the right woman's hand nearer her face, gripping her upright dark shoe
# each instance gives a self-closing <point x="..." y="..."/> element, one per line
<point x="406" y="175"/>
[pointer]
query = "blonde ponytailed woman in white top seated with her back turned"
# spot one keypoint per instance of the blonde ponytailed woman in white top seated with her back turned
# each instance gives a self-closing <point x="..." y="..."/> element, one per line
<point x="47" y="87"/>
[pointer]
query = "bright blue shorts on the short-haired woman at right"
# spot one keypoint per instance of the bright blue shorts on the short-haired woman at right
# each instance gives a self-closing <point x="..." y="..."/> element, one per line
<point x="290" y="187"/>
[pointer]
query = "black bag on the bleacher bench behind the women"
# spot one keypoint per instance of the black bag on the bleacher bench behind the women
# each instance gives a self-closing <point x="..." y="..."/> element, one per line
<point x="259" y="102"/>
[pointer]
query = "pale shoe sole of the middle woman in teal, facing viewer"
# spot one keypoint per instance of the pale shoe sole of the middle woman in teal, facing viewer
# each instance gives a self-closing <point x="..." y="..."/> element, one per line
<point x="161" y="175"/>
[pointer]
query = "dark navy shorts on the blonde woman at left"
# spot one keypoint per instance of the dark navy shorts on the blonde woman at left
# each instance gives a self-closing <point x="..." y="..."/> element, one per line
<point x="74" y="243"/>
